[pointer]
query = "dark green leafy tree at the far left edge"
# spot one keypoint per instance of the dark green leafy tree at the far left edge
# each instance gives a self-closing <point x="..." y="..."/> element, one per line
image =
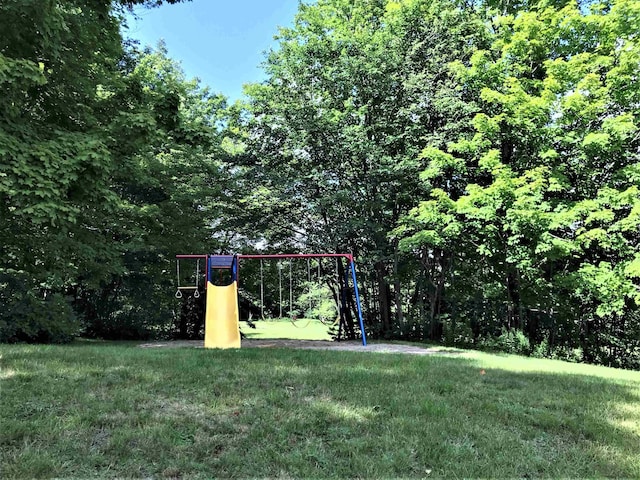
<point x="55" y="157"/>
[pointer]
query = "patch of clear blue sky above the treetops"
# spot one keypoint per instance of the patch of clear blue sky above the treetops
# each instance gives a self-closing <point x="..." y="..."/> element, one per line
<point x="221" y="42"/>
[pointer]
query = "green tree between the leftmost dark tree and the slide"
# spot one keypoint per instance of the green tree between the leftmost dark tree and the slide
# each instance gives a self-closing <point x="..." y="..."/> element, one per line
<point x="169" y="188"/>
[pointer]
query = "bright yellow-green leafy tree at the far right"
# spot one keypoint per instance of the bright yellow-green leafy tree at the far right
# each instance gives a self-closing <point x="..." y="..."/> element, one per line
<point x="548" y="218"/>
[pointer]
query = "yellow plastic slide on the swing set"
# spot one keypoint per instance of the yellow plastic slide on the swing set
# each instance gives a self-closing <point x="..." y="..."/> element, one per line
<point x="222" y="328"/>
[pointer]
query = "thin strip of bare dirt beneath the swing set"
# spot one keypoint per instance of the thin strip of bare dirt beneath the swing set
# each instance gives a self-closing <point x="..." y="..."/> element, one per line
<point x="314" y="345"/>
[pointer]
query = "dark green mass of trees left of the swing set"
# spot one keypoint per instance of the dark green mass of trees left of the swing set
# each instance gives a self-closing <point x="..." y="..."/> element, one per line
<point x="110" y="164"/>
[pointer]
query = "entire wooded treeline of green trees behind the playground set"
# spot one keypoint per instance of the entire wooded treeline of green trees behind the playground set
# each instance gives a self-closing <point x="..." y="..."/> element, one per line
<point x="480" y="159"/>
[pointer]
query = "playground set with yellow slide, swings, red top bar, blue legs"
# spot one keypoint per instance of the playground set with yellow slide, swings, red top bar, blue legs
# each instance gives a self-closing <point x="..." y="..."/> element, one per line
<point x="222" y="309"/>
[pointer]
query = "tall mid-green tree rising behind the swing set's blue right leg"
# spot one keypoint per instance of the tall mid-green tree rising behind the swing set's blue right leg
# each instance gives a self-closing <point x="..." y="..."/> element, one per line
<point x="353" y="91"/>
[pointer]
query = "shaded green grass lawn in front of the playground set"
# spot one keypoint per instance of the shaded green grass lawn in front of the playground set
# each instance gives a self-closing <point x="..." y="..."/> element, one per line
<point x="111" y="410"/>
